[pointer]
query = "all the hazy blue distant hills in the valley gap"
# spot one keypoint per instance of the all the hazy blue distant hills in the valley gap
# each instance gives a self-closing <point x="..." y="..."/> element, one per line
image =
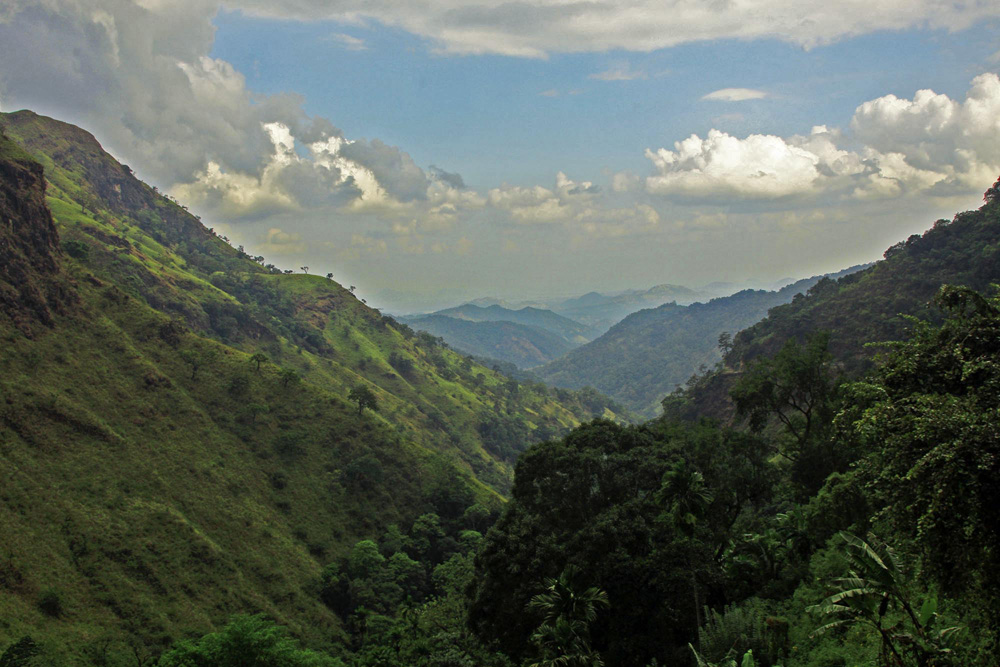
<point x="679" y="327"/>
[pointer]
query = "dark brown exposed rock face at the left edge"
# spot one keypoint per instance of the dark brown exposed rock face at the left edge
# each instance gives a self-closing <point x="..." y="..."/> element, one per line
<point x="29" y="244"/>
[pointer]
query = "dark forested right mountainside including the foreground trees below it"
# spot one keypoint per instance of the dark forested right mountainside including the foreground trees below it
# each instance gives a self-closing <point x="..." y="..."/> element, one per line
<point x="839" y="519"/>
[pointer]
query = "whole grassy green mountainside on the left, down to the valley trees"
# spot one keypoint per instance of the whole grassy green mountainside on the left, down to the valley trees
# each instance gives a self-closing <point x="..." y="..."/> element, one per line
<point x="181" y="436"/>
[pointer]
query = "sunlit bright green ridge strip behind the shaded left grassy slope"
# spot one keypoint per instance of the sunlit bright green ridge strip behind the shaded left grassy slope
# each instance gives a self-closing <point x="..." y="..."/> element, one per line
<point x="154" y="250"/>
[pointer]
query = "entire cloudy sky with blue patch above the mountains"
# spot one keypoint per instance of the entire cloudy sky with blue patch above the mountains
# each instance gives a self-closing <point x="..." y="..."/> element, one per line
<point x="441" y="149"/>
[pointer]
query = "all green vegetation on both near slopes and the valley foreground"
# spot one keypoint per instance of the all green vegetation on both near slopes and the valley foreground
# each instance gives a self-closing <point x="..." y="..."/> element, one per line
<point x="193" y="472"/>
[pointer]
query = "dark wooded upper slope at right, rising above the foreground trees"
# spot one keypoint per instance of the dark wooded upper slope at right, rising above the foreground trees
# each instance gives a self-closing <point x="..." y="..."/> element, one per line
<point x="870" y="305"/>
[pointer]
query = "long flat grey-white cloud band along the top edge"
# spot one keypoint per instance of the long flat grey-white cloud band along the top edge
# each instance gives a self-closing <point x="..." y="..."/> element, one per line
<point x="535" y="28"/>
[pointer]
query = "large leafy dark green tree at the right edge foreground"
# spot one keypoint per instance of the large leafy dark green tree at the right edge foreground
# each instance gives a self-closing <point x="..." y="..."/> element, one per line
<point x="928" y="418"/>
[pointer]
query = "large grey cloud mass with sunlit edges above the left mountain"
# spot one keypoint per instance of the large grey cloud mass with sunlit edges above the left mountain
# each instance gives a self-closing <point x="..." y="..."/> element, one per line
<point x="139" y="76"/>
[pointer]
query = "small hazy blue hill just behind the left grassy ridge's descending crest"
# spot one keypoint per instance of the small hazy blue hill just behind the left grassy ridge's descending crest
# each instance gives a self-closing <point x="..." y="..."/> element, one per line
<point x="524" y="346"/>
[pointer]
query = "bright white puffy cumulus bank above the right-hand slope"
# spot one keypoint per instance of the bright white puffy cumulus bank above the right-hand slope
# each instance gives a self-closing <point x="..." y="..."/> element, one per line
<point x="930" y="144"/>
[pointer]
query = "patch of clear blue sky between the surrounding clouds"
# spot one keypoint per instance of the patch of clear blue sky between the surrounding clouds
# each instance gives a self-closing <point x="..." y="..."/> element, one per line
<point x="486" y="116"/>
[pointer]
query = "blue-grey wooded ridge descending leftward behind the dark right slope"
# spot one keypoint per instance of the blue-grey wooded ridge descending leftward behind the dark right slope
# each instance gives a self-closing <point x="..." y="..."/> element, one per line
<point x="649" y="353"/>
